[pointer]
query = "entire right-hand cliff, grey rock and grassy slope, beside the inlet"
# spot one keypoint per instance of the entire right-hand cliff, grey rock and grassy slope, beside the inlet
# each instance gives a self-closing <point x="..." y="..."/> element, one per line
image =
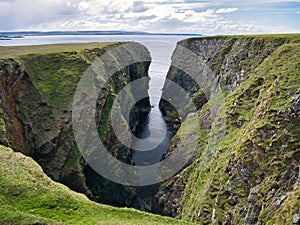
<point x="252" y="177"/>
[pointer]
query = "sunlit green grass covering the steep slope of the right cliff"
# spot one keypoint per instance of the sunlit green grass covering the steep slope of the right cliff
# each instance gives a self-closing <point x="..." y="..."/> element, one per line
<point x="267" y="90"/>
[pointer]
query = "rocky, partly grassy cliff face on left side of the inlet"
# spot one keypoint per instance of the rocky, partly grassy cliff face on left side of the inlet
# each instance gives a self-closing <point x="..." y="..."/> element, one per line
<point x="36" y="109"/>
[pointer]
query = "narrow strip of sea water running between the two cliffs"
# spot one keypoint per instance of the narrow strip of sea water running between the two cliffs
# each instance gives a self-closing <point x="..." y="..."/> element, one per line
<point x="153" y="127"/>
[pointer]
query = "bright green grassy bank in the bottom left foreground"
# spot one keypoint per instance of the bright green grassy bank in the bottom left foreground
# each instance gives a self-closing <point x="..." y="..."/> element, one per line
<point x="28" y="196"/>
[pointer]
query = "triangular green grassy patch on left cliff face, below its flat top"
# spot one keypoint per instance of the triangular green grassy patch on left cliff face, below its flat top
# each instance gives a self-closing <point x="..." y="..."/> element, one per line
<point x="55" y="75"/>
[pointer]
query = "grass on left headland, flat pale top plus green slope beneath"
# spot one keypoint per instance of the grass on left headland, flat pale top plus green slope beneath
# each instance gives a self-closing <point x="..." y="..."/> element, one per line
<point x="56" y="69"/>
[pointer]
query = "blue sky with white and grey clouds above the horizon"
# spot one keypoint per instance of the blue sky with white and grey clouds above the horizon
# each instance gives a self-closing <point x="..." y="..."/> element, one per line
<point x="177" y="16"/>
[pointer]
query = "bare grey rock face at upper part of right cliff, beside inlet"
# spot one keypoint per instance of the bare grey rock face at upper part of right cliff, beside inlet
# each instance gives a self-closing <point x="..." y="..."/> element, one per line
<point x="227" y="60"/>
